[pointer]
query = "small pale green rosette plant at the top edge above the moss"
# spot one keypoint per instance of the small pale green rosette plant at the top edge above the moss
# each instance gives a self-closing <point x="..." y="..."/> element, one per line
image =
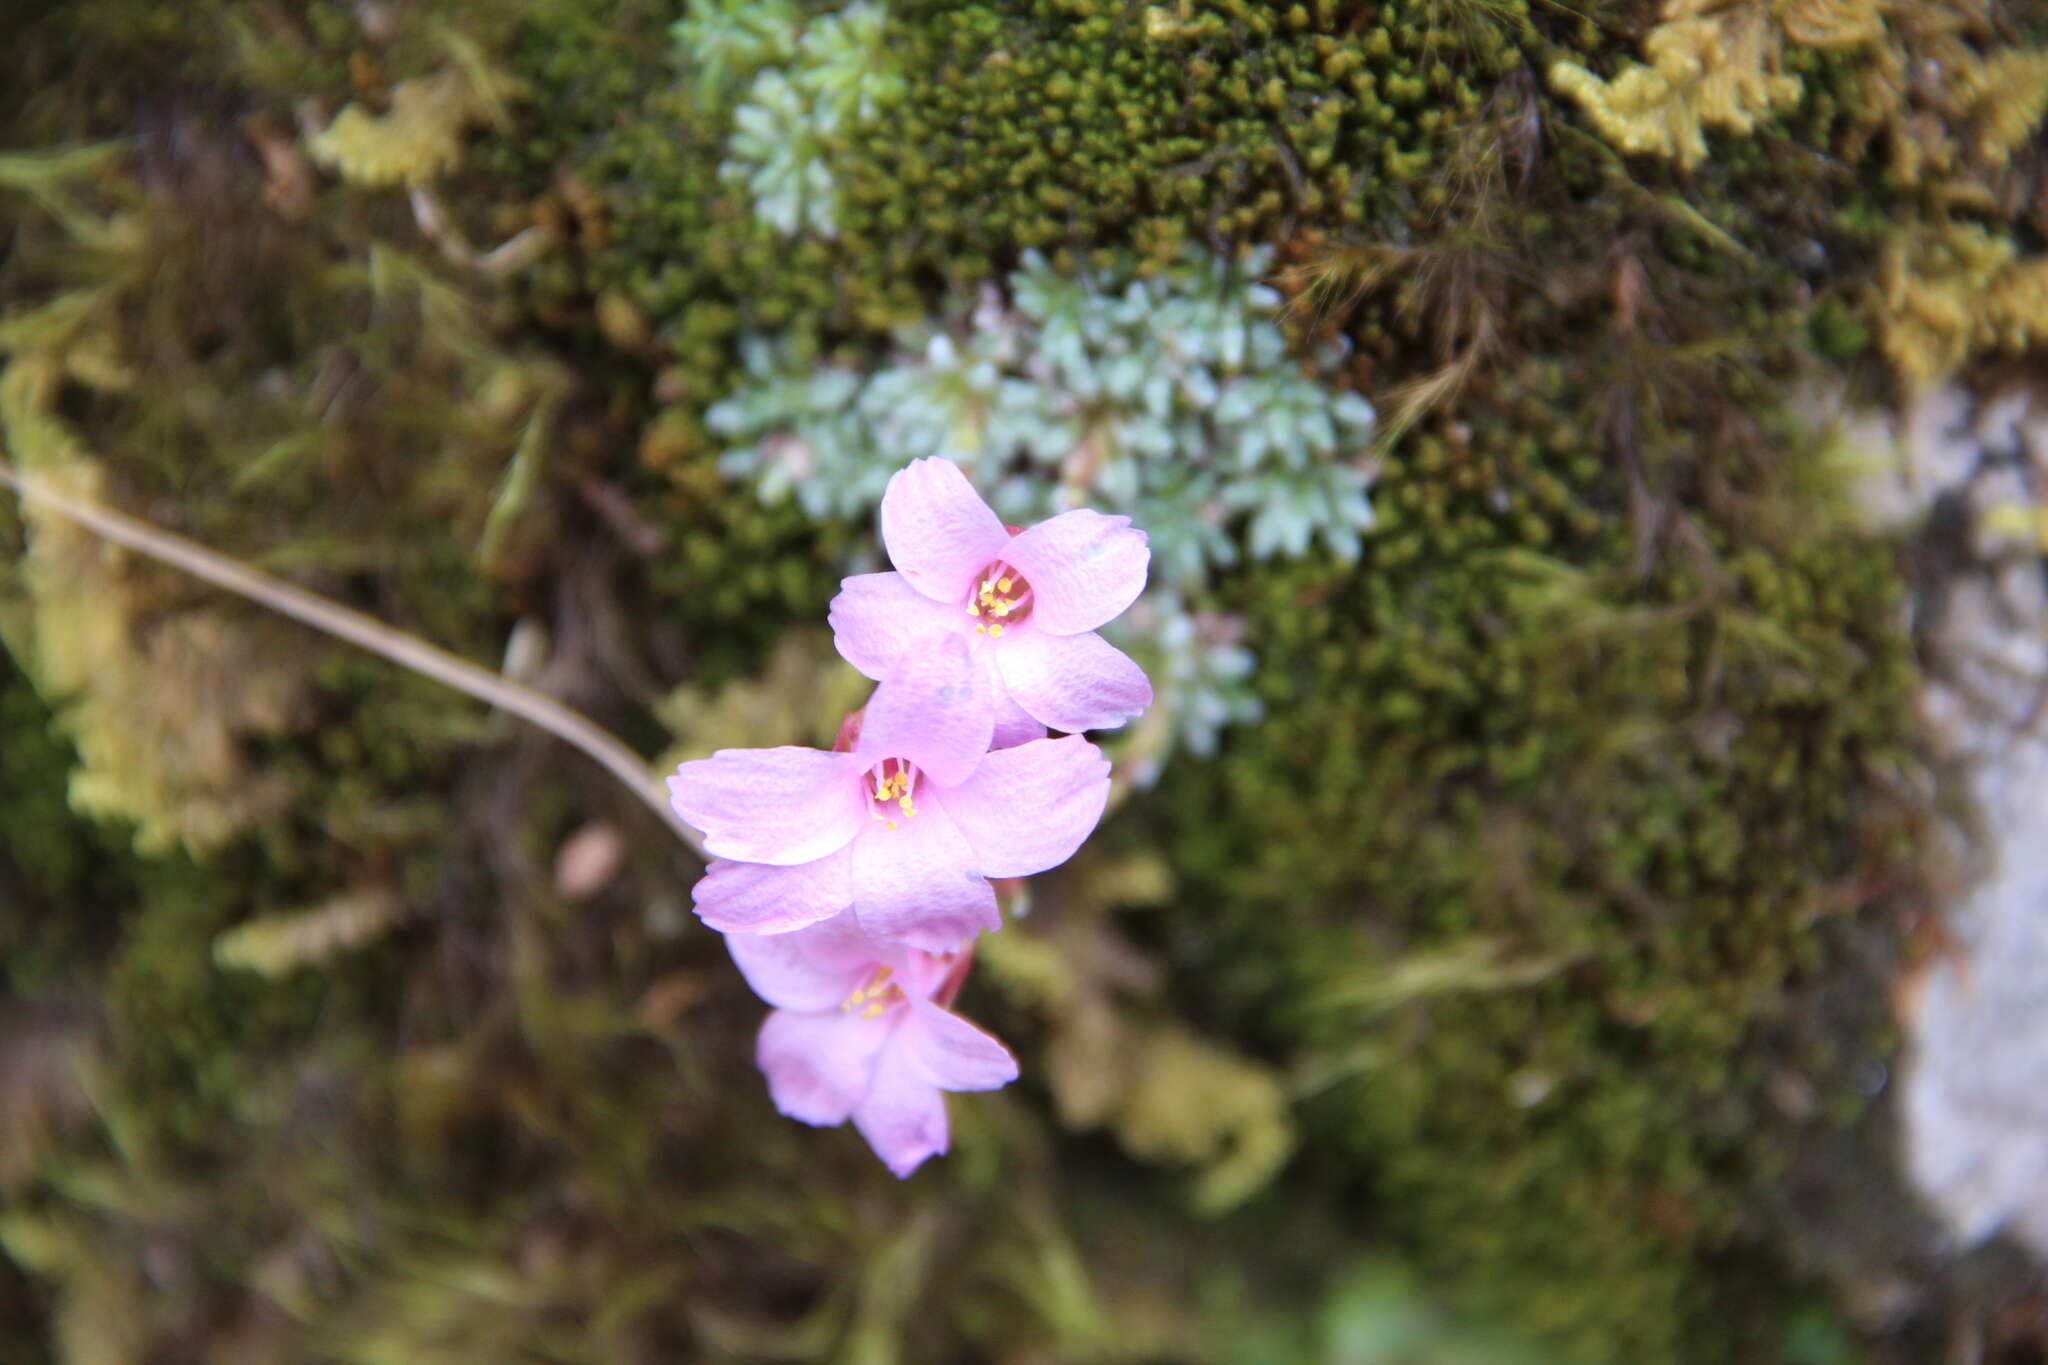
<point x="806" y="81"/>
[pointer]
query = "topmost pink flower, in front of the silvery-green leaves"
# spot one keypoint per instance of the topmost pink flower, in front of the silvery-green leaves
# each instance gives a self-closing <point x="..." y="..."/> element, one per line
<point x="1027" y="605"/>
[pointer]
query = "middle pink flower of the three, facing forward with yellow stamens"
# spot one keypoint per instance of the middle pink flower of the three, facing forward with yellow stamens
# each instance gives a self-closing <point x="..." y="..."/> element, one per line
<point x="906" y="830"/>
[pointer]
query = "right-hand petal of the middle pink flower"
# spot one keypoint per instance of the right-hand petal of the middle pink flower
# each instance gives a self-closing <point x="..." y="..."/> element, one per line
<point x="1029" y="809"/>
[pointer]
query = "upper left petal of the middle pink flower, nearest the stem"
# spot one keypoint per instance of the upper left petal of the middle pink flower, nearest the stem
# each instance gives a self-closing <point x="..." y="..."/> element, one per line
<point x="771" y="805"/>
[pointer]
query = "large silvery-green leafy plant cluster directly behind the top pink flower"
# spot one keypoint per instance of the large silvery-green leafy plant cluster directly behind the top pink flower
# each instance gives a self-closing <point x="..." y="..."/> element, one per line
<point x="1172" y="400"/>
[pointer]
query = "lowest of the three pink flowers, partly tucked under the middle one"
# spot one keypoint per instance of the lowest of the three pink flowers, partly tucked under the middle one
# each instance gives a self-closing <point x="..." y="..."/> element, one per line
<point x="855" y="1034"/>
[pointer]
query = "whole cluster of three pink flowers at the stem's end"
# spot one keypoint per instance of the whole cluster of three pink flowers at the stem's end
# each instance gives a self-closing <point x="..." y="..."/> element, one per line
<point x="851" y="885"/>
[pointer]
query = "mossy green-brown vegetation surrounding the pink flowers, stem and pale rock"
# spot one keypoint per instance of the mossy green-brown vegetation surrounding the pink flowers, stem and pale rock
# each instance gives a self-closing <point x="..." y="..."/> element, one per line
<point x="1488" y="957"/>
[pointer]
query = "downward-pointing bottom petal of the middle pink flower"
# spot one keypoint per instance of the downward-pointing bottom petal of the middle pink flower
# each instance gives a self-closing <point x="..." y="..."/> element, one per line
<point x="919" y="885"/>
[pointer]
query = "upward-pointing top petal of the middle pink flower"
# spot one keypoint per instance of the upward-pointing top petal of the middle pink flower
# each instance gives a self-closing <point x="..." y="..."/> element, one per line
<point x="935" y="711"/>
